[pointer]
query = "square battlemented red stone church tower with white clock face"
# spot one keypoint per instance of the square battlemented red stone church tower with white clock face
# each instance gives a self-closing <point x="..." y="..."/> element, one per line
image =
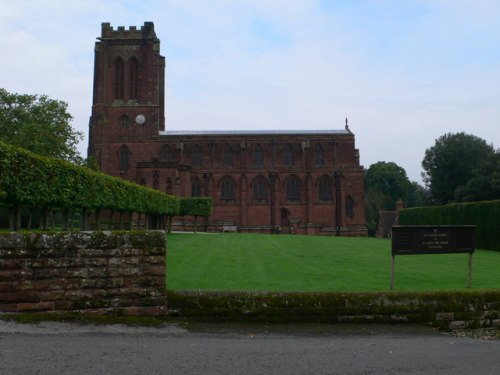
<point x="128" y="96"/>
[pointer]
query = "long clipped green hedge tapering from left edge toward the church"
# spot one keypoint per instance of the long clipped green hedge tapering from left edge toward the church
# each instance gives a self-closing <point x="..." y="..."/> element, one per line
<point x="31" y="180"/>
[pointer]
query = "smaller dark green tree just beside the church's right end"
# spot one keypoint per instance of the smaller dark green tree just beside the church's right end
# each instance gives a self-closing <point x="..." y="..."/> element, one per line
<point x="385" y="184"/>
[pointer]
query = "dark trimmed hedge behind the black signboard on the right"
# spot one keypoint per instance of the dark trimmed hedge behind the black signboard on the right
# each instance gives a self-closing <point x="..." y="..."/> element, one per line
<point x="485" y="215"/>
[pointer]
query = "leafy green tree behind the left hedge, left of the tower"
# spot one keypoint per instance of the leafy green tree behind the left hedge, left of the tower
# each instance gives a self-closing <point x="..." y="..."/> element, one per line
<point x="38" y="124"/>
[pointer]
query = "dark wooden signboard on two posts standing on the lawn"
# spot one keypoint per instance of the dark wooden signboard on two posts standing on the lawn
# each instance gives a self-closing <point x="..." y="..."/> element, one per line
<point x="436" y="239"/>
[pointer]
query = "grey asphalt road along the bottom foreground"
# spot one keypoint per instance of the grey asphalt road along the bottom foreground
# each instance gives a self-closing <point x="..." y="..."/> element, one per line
<point x="62" y="348"/>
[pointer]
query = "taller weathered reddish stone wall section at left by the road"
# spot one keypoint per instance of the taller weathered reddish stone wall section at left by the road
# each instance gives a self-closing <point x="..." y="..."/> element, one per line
<point x="92" y="272"/>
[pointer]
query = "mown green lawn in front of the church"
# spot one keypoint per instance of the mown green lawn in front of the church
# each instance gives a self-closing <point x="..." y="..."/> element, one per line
<point x="260" y="262"/>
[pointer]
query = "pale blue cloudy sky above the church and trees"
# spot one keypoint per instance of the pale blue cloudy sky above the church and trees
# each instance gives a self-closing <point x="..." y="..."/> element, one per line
<point x="404" y="72"/>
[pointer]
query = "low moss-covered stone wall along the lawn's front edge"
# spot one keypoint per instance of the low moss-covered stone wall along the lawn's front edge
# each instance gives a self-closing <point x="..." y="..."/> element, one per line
<point x="444" y="309"/>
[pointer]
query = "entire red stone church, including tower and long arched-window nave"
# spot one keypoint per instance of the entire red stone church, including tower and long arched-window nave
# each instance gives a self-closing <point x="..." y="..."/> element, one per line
<point x="306" y="181"/>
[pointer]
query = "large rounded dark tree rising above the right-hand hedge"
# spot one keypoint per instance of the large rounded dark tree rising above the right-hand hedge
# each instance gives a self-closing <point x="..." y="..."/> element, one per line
<point x="450" y="163"/>
